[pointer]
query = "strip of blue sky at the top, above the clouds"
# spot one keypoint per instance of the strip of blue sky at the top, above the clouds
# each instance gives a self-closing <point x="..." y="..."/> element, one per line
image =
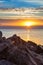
<point x="20" y="3"/>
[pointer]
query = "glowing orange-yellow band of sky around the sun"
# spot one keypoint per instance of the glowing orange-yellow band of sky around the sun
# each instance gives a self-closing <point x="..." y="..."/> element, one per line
<point x="22" y="22"/>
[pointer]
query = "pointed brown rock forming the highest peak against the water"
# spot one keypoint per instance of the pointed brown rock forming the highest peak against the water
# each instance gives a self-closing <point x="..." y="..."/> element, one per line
<point x="17" y="40"/>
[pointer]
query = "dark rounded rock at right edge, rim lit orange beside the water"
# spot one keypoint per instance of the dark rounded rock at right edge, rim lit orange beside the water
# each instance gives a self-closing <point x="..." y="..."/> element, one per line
<point x="34" y="47"/>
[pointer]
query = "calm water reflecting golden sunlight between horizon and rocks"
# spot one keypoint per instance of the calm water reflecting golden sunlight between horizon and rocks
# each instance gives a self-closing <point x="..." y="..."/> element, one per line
<point x="35" y="35"/>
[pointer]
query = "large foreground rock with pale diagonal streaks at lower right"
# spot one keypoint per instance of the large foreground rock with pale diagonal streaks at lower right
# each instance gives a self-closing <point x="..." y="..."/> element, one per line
<point x="25" y="57"/>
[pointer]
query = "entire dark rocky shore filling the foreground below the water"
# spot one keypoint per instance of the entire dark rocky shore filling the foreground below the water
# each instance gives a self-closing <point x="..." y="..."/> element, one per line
<point x="16" y="51"/>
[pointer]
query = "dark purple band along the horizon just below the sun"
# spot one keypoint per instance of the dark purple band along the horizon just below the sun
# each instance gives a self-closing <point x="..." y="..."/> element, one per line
<point x="21" y="27"/>
